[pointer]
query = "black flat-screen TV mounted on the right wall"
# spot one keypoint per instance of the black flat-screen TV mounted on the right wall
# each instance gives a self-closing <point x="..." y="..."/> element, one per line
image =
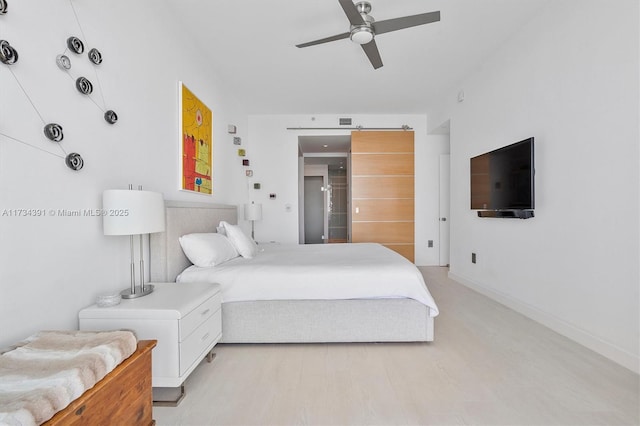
<point x="502" y="181"/>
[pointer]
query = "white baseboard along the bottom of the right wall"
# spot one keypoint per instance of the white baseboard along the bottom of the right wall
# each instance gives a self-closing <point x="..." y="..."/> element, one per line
<point x="596" y="344"/>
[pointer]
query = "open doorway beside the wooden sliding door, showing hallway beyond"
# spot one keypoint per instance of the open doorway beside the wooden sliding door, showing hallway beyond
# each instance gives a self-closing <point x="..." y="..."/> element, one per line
<point x="325" y="215"/>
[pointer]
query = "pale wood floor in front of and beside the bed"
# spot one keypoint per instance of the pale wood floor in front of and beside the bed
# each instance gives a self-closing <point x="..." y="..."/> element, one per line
<point x="488" y="365"/>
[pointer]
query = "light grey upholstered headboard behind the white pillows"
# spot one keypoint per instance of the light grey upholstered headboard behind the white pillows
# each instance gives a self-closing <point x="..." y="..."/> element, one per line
<point x="167" y="260"/>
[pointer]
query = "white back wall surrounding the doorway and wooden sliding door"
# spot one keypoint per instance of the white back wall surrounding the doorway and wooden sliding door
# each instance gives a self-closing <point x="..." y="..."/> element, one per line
<point x="276" y="166"/>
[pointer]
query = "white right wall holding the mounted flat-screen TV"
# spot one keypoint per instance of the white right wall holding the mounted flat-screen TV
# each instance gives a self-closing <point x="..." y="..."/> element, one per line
<point x="570" y="79"/>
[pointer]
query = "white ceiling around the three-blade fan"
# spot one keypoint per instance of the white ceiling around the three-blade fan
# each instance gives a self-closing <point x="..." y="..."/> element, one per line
<point x="251" y="44"/>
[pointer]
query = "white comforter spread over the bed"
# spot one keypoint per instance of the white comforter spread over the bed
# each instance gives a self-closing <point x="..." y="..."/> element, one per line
<point x="316" y="271"/>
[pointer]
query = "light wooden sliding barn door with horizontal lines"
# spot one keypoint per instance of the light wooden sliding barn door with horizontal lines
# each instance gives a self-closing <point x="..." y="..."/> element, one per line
<point x="382" y="189"/>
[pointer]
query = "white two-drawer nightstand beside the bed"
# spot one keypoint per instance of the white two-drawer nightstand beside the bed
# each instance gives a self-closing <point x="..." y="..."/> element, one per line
<point x="185" y="319"/>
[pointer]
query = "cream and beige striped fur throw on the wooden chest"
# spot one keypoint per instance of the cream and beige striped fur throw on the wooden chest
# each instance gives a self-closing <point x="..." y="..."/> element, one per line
<point x="43" y="374"/>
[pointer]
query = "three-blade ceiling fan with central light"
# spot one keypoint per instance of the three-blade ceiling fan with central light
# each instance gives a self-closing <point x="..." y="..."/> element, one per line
<point x="364" y="28"/>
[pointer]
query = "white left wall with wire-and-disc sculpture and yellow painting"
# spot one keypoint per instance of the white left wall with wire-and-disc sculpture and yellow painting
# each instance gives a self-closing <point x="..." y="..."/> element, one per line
<point x="51" y="267"/>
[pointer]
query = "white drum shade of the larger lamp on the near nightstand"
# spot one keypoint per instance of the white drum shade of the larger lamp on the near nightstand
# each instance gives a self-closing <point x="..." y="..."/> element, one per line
<point x="132" y="212"/>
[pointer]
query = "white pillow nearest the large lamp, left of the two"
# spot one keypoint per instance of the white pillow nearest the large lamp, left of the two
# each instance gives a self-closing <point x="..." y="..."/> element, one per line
<point x="207" y="249"/>
